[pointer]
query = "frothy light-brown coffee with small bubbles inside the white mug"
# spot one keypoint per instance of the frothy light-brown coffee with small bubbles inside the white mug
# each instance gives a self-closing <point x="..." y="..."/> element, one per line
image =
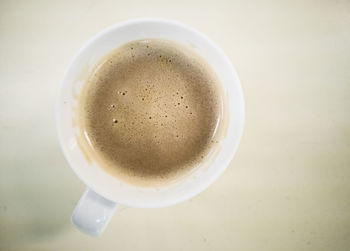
<point x="150" y="111"/>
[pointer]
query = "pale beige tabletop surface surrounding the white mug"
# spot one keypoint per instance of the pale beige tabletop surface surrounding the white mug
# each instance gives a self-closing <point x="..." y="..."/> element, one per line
<point x="288" y="188"/>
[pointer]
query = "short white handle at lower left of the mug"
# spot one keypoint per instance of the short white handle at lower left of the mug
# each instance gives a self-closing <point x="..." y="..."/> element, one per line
<point x="93" y="213"/>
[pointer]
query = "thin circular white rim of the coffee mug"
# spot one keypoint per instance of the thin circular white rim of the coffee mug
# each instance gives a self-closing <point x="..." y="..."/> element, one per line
<point x="109" y="29"/>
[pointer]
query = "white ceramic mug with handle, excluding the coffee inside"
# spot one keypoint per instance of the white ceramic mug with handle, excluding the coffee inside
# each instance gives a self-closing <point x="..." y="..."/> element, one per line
<point x="105" y="192"/>
